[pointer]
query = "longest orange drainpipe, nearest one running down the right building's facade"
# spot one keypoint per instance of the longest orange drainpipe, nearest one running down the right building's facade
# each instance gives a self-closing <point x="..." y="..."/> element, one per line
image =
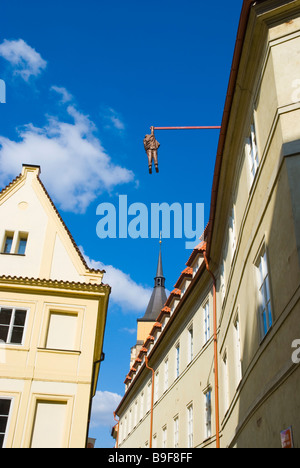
<point x="215" y="353"/>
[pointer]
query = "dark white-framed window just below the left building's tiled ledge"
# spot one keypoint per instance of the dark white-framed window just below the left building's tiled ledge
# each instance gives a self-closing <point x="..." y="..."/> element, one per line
<point x="12" y="324"/>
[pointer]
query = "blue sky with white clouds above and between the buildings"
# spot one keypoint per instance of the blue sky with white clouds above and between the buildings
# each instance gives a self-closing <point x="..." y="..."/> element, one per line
<point x="85" y="81"/>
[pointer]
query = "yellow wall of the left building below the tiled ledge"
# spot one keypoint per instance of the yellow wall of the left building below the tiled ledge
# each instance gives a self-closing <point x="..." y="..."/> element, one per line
<point x="34" y="373"/>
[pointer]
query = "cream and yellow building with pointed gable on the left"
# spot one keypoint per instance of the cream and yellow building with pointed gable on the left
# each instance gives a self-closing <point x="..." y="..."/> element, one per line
<point x="52" y="320"/>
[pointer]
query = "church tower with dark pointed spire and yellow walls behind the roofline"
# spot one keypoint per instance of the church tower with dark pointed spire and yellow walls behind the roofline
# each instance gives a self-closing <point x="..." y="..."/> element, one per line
<point x="156" y="303"/>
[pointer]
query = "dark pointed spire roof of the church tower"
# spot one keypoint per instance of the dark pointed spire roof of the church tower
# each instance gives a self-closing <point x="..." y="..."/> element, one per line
<point x="159" y="296"/>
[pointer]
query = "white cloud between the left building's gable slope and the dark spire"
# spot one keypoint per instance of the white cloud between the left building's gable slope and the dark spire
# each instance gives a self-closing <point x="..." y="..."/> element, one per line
<point x="126" y="293"/>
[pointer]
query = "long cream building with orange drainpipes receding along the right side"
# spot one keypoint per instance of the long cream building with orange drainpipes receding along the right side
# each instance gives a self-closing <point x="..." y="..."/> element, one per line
<point x="219" y="361"/>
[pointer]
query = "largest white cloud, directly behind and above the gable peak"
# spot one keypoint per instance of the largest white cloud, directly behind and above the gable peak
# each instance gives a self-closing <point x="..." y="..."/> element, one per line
<point x="75" y="167"/>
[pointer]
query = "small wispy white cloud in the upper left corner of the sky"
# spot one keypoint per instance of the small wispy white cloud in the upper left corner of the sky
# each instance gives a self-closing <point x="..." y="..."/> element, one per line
<point x="25" y="60"/>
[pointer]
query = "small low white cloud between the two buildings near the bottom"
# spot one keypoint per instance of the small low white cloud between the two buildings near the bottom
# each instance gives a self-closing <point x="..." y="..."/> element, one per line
<point x="104" y="405"/>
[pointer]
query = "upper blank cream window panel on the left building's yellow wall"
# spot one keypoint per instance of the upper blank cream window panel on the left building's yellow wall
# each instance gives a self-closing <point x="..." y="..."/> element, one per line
<point x="62" y="331"/>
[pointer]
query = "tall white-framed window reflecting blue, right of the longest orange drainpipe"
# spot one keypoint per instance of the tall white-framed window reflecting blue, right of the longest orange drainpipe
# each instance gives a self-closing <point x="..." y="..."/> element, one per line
<point x="265" y="311"/>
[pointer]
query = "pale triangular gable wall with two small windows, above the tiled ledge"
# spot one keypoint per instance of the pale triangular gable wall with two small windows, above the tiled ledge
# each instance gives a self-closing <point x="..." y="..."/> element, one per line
<point x="50" y="254"/>
